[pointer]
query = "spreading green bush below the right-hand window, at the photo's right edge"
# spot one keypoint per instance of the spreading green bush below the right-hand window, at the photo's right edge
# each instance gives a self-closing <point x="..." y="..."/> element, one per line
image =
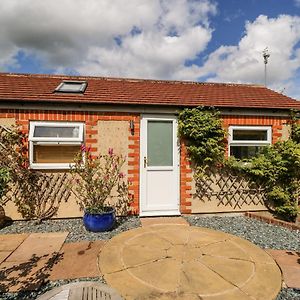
<point x="277" y="170"/>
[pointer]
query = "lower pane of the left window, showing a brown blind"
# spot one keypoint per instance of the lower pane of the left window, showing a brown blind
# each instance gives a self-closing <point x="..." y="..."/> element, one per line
<point x="54" y="154"/>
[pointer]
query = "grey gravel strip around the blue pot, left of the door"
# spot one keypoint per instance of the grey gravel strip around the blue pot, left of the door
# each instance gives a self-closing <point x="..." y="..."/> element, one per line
<point x="75" y="227"/>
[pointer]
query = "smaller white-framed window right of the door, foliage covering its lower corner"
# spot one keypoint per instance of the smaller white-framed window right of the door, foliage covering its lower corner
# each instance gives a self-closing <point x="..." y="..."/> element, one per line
<point x="248" y="141"/>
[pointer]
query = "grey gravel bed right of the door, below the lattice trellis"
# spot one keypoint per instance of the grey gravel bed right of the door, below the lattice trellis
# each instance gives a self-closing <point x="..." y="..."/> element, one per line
<point x="260" y="233"/>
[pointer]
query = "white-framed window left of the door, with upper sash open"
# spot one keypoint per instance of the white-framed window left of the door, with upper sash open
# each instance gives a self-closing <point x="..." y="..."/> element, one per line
<point x="53" y="145"/>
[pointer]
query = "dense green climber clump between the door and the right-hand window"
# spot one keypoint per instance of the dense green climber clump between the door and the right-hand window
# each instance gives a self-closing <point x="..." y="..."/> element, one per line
<point x="201" y="128"/>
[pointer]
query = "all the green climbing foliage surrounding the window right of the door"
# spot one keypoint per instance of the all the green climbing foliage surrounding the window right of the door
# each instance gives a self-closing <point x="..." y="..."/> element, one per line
<point x="277" y="168"/>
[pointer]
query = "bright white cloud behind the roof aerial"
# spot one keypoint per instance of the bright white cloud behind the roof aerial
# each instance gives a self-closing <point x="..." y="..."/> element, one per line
<point x="244" y="62"/>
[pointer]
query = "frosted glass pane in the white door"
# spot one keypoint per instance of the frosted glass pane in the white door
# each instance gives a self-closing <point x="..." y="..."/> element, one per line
<point x="160" y="143"/>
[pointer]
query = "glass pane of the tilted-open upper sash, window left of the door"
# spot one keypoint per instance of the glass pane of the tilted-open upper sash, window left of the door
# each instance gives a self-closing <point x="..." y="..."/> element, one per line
<point x="58" y="132"/>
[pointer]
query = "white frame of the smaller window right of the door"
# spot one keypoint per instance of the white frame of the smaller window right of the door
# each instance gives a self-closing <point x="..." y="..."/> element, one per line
<point x="232" y="142"/>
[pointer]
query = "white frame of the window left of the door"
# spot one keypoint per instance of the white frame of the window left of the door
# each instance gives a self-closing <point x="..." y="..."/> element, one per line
<point x="53" y="141"/>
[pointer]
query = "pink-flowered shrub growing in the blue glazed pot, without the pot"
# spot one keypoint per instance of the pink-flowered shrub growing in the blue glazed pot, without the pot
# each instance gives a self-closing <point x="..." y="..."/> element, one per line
<point x="99" y="183"/>
